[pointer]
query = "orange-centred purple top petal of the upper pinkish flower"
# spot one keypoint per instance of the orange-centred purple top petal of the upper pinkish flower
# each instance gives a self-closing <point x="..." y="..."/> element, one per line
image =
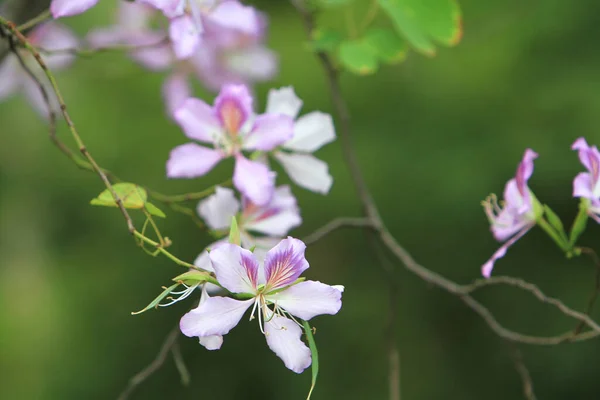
<point x="233" y="107"/>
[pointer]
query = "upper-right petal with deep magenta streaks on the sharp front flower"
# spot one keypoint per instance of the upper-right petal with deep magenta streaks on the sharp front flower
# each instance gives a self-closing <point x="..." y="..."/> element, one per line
<point x="284" y="263"/>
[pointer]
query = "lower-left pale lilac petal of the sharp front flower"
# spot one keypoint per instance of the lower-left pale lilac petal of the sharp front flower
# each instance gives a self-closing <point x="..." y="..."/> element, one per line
<point x="215" y="316"/>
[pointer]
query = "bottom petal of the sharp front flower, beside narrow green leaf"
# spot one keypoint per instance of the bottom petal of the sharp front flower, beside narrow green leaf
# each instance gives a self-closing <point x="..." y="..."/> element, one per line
<point x="283" y="337"/>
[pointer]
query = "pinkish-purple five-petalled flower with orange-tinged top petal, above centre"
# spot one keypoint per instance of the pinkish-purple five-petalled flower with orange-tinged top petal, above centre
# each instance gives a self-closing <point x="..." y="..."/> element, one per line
<point x="230" y="126"/>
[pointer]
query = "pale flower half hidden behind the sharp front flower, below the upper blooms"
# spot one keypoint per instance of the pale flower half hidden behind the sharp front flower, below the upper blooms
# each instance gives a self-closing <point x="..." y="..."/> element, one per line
<point x="274" y="220"/>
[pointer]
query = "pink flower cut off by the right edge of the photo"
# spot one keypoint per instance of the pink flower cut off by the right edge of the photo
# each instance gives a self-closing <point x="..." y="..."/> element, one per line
<point x="587" y="184"/>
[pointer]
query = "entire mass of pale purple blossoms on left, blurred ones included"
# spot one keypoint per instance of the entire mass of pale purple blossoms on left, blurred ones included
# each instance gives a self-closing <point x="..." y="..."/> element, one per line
<point x="221" y="44"/>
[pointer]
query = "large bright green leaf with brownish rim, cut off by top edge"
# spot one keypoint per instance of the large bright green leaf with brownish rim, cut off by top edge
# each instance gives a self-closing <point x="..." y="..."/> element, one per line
<point x="422" y="22"/>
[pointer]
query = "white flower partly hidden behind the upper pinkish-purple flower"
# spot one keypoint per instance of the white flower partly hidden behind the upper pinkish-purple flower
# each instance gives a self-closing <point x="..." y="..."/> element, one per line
<point x="311" y="132"/>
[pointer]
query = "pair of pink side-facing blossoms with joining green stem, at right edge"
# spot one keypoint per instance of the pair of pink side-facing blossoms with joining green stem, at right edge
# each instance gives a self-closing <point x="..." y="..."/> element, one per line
<point x="522" y="211"/>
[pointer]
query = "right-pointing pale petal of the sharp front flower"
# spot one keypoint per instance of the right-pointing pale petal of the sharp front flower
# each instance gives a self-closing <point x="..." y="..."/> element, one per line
<point x="308" y="299"/>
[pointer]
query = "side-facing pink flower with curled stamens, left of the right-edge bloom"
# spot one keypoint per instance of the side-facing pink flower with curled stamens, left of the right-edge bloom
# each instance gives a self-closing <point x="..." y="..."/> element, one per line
<point x="517" y="217"/>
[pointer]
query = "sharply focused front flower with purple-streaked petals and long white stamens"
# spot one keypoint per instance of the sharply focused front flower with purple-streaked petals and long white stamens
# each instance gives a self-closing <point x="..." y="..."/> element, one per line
<point x="274" y="294"/>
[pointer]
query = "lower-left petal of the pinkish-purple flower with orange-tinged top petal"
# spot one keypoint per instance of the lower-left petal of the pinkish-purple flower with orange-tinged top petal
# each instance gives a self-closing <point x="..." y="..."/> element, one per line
<point x="191" y="161"/>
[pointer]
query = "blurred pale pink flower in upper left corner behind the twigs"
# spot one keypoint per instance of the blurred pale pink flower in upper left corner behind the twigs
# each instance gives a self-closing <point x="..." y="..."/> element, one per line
<point x="14" y="78"/>
